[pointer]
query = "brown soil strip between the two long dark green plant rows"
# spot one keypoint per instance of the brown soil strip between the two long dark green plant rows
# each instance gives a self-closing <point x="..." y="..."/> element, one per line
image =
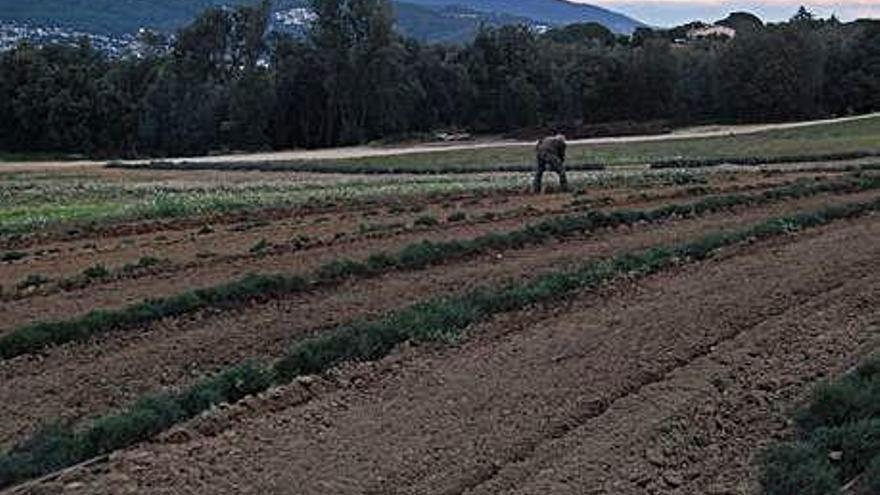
<point x="80" y="380"/>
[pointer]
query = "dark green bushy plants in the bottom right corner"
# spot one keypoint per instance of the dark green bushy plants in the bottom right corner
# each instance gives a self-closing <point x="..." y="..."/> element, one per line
<point x="837" y="440"/>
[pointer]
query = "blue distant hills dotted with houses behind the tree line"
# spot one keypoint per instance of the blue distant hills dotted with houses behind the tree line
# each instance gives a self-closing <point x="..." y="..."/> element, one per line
<point x="428" y="20"/>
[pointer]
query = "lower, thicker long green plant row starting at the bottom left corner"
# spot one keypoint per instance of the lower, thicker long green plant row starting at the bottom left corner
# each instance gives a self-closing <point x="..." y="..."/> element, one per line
<point x="438" y="320"/>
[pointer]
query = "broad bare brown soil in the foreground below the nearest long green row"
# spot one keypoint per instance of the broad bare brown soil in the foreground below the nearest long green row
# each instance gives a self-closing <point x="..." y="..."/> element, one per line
<point x="562" y="398"/>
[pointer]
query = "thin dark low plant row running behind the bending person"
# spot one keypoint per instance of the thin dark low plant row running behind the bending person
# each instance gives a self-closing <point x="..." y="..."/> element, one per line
<point x="344" y="168"/>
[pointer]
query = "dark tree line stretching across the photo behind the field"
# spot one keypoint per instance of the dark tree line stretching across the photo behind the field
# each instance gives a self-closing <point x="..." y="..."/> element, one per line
<point x="225" y="82"/>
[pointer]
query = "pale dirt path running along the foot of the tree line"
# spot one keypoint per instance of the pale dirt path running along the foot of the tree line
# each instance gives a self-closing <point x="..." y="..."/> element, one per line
<point x="370" y="151"/>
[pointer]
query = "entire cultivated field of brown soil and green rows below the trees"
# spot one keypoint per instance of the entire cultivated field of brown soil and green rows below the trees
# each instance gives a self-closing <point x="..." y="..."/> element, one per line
<point x="370" y="328"/>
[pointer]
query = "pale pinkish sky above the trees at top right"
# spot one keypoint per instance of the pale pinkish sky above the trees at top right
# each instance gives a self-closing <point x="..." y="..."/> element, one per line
<point x="674" y="12"/>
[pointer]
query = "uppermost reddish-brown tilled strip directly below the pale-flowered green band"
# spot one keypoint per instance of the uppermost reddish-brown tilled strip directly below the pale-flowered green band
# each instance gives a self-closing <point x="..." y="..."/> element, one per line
<point x="205" y="241"/>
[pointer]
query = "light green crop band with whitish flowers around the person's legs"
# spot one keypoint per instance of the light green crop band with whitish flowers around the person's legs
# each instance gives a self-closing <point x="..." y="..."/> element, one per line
<point x="82" y="213"/>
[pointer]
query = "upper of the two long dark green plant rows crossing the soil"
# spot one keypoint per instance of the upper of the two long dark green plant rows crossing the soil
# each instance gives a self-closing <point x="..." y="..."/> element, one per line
<point x="38" y="336"/>
